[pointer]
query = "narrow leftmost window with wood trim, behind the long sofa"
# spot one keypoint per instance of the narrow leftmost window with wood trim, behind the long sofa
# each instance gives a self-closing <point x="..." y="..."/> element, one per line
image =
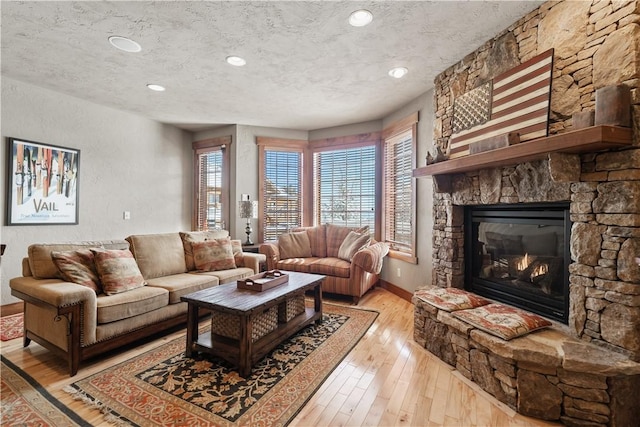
<point x="211" y="189"/>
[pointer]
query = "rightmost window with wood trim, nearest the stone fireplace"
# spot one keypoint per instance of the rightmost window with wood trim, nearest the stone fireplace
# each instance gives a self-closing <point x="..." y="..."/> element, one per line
<point x="399" y="195"/>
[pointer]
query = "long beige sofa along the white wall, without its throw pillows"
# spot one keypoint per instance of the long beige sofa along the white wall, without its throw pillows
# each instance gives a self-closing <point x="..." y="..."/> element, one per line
<point x="77" y="322"/>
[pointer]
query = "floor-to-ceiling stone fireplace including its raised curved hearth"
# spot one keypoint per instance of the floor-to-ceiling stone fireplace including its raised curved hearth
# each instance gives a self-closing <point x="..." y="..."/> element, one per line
<point x="585" y="370"/>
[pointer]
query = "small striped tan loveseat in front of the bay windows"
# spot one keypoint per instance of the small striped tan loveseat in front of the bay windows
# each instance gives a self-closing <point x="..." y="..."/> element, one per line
<point x="345" y="255"/>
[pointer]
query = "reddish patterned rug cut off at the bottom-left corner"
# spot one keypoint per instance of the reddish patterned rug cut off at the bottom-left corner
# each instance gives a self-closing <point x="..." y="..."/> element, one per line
<point x="24" y="402"/>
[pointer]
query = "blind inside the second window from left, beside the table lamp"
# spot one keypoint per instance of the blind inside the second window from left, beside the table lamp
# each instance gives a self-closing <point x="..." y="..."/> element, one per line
<point x="282" y="192"/>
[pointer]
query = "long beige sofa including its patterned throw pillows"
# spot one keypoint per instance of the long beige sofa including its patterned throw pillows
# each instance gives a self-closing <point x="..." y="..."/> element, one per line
<point x="82" y="299"/>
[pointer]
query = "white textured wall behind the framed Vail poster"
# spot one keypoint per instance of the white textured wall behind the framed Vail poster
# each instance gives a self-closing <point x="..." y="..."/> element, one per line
<point x="126" y="163"/>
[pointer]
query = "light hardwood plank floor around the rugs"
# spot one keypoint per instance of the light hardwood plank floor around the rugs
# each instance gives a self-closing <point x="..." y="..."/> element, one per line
<point x="386" y="380"/>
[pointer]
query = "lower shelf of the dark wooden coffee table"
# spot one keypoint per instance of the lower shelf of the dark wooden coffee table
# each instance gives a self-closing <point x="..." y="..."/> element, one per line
<point x="231" y="350"/>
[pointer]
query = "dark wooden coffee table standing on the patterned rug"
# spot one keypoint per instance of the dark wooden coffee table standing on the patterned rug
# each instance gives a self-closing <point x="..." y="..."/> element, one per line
<point x="244" y="308"/>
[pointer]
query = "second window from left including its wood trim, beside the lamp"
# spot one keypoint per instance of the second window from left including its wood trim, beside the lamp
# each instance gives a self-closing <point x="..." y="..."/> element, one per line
<point x="281" y="200"/>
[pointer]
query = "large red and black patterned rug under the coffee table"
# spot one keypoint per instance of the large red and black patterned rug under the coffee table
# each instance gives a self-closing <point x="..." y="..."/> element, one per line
<point x="162" y="387"/>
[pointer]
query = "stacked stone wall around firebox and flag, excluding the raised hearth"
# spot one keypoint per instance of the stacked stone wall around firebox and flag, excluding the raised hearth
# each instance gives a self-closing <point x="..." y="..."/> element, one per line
<point x="602" y="48"/>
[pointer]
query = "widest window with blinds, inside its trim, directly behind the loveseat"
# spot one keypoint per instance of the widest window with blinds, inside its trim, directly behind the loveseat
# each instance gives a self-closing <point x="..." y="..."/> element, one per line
<point x="345" y="184"/>
